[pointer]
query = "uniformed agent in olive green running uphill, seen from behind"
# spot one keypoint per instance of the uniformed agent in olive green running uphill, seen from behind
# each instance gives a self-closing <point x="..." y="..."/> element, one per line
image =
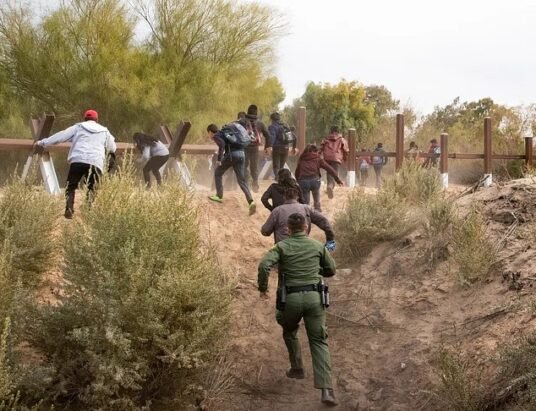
<point x="303" y="262"/>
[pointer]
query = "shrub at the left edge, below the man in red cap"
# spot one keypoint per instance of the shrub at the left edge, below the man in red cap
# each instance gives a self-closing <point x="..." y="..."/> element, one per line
<point x="28" y="218"/>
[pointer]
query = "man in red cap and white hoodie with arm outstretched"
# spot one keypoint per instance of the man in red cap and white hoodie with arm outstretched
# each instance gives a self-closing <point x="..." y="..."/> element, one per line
<point x="90" y="144"/>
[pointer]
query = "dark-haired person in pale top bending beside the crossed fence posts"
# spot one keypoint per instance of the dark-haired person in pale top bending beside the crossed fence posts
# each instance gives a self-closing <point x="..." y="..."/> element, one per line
<point x="154" y="153"/>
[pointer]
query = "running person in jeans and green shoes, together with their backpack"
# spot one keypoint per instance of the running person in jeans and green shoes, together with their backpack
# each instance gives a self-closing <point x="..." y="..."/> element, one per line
<point x="231" y="140"/>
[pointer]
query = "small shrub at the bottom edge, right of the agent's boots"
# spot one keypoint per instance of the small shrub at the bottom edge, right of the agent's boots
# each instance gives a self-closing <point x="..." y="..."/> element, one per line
<point x="459" y="389"/>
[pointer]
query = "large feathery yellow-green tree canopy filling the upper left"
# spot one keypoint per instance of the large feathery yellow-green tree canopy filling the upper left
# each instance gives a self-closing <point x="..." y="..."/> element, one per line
<point x="202" y="60"/>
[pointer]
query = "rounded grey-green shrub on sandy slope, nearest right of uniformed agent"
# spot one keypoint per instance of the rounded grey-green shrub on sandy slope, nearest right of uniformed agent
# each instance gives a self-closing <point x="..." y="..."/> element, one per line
<point x="367" y="220"/>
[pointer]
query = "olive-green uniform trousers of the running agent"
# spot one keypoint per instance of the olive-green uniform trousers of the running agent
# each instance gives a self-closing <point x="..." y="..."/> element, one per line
<point x="307" y="305"/>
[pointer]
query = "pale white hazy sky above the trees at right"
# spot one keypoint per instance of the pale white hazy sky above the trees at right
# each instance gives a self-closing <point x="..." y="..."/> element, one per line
<point x="425" y="52"/>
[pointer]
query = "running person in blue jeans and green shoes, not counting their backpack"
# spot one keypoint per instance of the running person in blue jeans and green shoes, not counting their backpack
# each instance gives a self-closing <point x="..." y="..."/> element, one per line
<point x="229" y="155"/>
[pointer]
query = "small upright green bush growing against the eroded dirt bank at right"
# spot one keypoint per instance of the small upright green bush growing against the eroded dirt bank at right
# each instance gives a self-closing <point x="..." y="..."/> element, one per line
<point x="472" y="250"/>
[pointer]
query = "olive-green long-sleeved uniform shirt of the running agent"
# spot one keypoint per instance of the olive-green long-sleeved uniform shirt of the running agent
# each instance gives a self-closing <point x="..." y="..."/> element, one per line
<point x="301" y="259"/>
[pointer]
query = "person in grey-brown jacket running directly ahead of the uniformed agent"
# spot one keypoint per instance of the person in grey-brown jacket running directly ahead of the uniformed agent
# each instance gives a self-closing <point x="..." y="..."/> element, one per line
<point x="276" y="223"/>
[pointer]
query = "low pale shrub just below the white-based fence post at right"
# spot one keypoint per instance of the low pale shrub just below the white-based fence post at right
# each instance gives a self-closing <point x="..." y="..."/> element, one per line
<point x="415" y="184"/>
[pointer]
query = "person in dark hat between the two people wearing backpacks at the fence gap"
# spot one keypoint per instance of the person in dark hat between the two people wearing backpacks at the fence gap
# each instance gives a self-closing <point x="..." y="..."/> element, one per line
<point x="257" y="130"/>
